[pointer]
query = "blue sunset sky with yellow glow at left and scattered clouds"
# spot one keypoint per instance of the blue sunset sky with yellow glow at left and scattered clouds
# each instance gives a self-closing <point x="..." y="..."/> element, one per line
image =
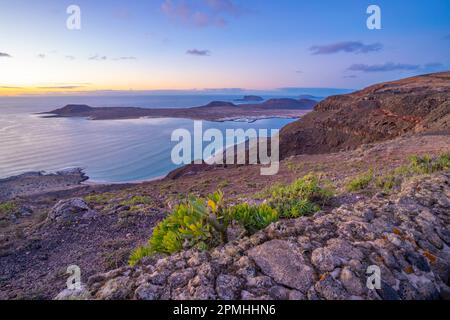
<point x="219" y="45"/>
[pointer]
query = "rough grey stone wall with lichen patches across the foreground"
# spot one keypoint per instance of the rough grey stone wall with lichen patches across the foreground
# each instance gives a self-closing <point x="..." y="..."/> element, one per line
<point x="321" y="257"/>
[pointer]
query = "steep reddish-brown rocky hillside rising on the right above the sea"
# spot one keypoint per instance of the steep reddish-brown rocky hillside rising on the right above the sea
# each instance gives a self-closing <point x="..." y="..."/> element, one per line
<point x="377" y="113"/>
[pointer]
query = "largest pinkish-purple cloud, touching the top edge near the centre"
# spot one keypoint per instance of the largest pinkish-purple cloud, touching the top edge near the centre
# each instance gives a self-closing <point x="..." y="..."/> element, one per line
<point x="201" y="13"/>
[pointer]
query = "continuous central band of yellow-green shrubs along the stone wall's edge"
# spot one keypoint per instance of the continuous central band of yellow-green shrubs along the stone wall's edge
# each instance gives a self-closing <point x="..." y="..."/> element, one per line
<point x="203" y="223"/>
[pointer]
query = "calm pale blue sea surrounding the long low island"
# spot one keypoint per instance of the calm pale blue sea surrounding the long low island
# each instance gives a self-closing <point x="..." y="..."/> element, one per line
<point x="108" y="151"/>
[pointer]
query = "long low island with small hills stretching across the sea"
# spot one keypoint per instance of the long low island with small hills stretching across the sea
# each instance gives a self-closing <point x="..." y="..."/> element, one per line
<point x="217" y="111"/>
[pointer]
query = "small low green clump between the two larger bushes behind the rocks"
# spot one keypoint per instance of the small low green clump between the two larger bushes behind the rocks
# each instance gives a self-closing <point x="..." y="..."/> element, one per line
<point x="253" y="218"/>
